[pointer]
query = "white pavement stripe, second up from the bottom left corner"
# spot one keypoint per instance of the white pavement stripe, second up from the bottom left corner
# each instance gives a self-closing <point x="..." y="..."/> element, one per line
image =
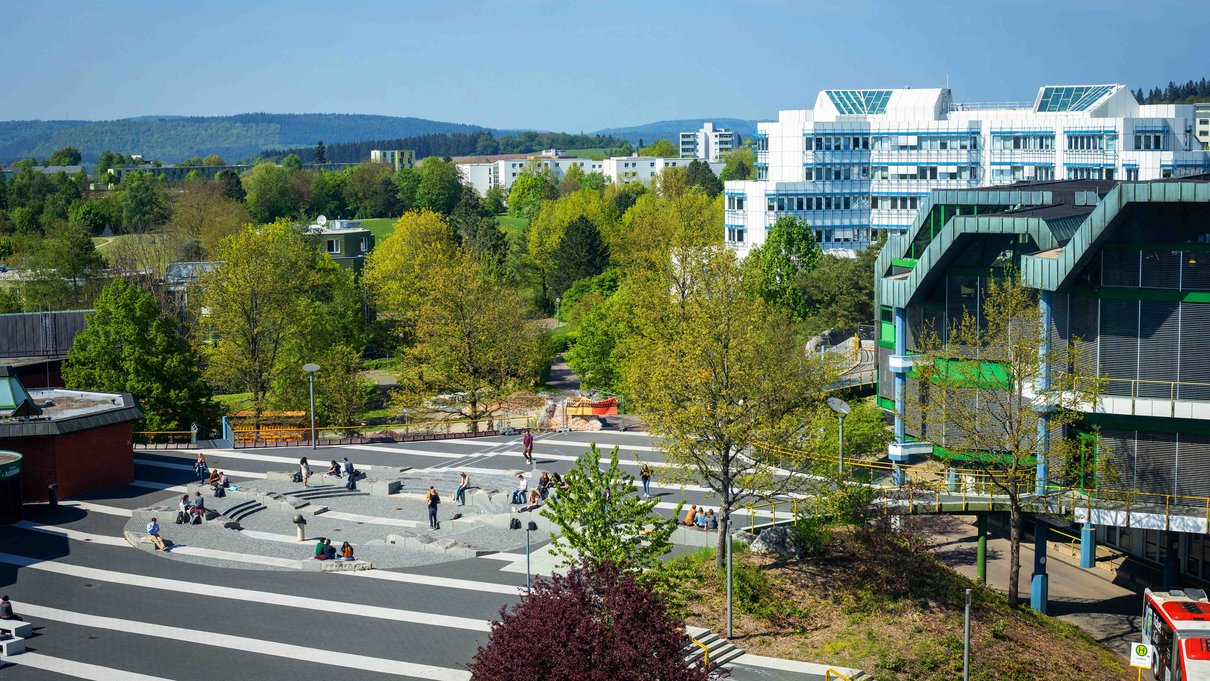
<point x="231" y="643"/>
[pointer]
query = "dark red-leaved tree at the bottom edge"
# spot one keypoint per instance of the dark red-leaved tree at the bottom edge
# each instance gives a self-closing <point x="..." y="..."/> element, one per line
<point x="596" y="624"/>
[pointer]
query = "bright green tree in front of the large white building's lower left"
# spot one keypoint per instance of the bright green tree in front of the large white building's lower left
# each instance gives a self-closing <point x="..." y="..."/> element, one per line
<point x="776" y="268"/>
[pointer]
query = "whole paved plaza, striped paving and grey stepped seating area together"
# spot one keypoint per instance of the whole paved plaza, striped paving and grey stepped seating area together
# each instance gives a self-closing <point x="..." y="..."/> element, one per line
<point x="246" y="602"/>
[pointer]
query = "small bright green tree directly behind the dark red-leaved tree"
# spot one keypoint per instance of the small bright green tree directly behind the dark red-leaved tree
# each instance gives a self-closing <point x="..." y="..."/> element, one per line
<point x="601" y="517"/>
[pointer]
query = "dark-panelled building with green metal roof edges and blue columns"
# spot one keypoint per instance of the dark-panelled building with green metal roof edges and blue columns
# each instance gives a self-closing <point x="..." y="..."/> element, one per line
<point x="1122" y="273"/>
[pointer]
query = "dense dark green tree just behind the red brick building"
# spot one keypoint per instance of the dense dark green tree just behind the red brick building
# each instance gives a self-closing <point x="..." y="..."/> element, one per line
<point x="129" y="345"/>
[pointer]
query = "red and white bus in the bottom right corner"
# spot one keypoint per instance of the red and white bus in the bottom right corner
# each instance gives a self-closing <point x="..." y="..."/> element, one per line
<point x="1177" y="624"/>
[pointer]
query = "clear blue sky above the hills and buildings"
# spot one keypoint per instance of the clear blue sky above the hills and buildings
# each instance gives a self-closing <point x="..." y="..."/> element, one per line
<point x="571" y="66"/>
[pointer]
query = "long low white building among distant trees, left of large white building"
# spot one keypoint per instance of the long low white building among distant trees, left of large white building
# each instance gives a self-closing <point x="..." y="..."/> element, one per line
<point x="620" y="170"/>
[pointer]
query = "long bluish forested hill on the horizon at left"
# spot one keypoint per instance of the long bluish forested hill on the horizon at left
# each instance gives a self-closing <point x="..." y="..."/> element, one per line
<point x="176" y="138"/>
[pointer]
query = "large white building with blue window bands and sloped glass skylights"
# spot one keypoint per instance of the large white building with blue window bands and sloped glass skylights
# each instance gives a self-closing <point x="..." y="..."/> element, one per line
<point x="865" y="160"/>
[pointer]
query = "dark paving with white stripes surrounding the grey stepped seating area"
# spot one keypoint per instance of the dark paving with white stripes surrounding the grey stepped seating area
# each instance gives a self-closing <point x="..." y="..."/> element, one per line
<point x="106" y="611"/>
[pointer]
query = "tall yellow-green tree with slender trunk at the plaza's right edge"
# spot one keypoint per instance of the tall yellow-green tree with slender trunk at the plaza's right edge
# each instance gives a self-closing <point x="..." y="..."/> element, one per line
<point x="715" y="371"/>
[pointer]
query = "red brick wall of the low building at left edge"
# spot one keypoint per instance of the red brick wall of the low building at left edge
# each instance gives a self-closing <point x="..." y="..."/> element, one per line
<point x="79" y="463"/>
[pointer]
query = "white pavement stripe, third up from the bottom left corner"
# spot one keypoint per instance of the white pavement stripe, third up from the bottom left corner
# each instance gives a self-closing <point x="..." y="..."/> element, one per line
<point x="233" y="593"/>
